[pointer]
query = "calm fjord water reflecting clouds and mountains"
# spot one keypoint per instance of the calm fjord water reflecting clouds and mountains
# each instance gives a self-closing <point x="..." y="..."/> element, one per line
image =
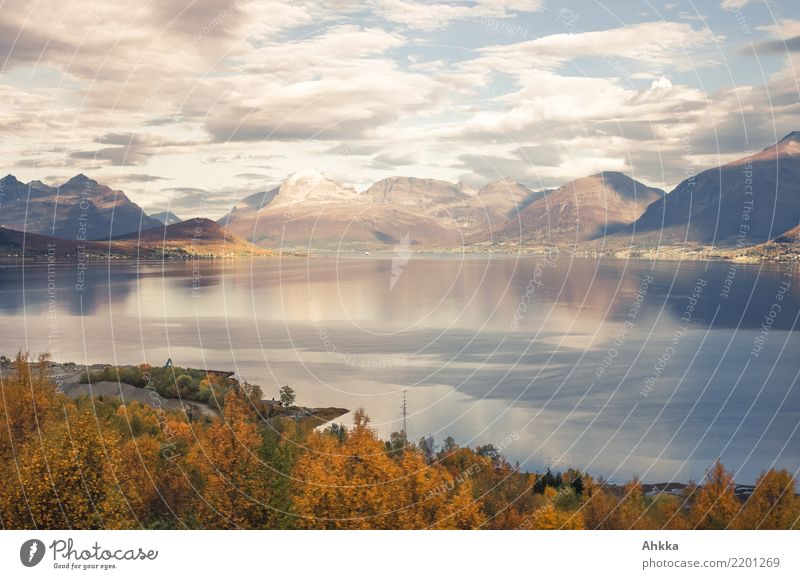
<point x="608" y="365"/>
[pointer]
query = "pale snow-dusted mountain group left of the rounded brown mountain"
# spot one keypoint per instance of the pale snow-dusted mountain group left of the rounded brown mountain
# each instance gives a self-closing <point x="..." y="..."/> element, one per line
<point x="428" y="212"/>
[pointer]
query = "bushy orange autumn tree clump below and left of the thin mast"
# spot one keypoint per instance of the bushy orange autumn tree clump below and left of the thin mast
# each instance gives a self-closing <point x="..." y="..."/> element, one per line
<point x="354" y="483"/>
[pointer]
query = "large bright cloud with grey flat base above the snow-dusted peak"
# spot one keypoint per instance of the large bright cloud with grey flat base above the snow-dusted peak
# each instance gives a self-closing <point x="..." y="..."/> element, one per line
<point x="337" y="85"/>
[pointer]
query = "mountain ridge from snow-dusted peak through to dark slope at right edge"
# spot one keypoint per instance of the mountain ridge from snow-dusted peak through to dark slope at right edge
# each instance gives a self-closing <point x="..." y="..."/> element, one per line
<point x="608" y="207"/>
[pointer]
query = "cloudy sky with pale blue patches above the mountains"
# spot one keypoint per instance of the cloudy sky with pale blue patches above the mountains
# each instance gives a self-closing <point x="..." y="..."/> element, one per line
<point x="191" y="106"/>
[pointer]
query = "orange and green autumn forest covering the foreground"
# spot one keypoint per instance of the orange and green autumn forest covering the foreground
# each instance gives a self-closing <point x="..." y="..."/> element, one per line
<point x="96" y="463"/>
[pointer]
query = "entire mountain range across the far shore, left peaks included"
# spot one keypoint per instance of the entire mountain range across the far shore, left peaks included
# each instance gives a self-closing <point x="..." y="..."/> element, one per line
<point x="747" y="202"/>
